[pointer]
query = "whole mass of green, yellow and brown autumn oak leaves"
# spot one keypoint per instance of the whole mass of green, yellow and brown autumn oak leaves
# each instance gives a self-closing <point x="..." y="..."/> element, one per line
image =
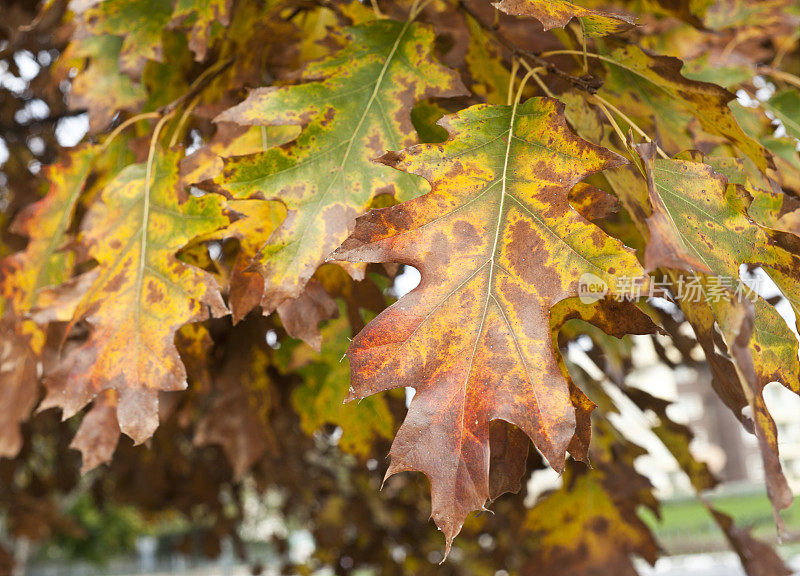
<point x="255" y="171"/>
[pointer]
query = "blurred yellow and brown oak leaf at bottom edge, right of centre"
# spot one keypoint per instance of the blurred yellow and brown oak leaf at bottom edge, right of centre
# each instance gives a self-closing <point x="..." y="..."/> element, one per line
<point x="591" y="525"/>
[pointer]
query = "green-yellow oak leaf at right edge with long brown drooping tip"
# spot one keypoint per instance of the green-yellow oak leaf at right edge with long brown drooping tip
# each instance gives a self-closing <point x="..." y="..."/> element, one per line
<point x="696" y="205"/>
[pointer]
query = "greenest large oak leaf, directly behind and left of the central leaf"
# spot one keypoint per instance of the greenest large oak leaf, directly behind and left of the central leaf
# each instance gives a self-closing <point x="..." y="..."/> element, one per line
<point x="354" y="107"/>
